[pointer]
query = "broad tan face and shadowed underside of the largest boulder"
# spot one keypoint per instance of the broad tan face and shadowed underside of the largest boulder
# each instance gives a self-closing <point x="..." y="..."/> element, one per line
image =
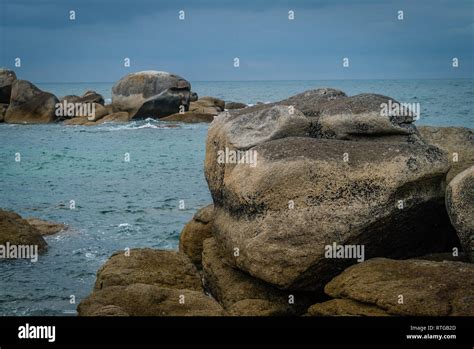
<point x="354" y="202"/>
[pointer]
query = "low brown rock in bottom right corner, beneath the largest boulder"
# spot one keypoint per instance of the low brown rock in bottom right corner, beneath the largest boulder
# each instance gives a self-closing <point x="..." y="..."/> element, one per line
<point x="407" y="287"/>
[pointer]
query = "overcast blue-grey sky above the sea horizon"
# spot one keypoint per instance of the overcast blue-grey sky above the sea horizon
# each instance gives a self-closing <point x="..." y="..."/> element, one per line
<point x="269" y="46"/>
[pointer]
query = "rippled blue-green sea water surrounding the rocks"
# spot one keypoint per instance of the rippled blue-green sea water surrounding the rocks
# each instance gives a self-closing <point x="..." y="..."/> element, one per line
<point x="139" y="203"/>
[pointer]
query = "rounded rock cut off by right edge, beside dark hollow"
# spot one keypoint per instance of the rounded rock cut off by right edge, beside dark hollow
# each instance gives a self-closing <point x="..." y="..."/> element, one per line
<point x="460" y="206"/>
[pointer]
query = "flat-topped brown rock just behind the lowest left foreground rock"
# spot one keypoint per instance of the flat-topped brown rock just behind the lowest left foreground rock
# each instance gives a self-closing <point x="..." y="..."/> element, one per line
<point x="167" y="269"/>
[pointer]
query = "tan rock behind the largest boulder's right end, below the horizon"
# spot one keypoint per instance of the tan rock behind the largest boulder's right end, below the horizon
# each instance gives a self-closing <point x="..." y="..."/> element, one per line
<point x="457" y="142"/>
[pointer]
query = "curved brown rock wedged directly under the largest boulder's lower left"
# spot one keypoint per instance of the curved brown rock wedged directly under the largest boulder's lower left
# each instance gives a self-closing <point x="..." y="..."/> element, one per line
<point x="231" y="286"/>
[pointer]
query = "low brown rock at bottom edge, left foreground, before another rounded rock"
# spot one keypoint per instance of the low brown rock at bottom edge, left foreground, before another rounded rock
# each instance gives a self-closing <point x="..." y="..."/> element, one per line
<point x="148" y="300"/>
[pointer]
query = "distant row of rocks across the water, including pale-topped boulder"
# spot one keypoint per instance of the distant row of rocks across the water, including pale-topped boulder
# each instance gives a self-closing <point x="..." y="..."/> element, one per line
<point x="147" y="94"/>
